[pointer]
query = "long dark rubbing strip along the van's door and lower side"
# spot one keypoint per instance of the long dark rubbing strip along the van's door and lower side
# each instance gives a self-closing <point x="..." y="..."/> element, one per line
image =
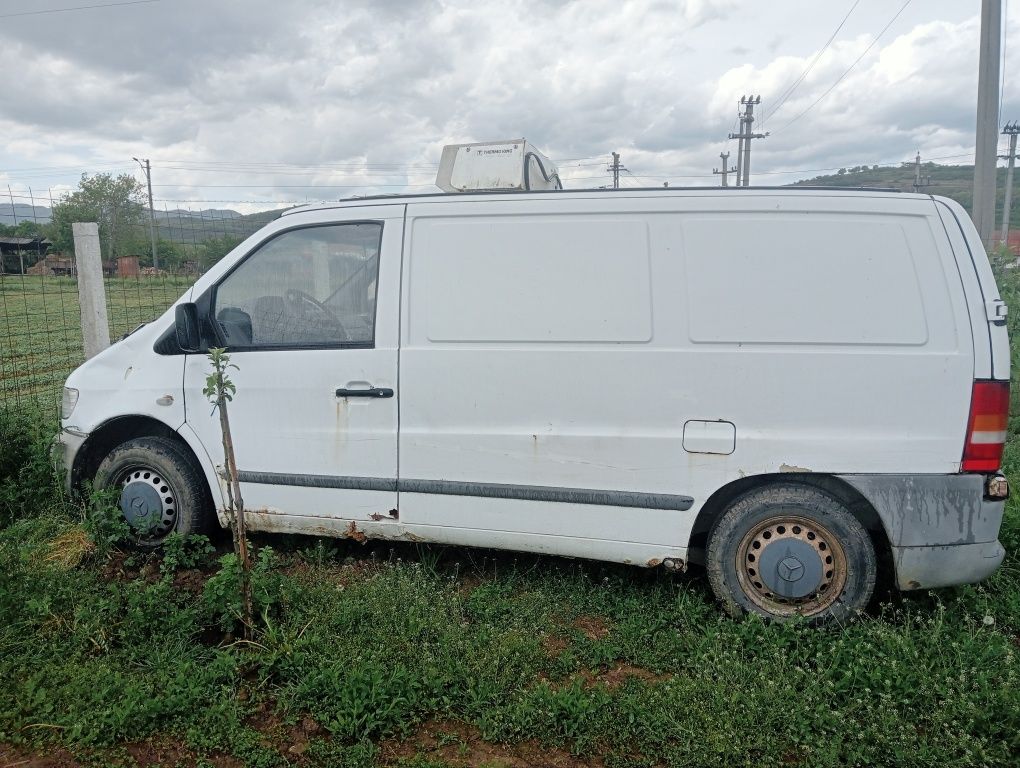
<point x="482" y="490"/>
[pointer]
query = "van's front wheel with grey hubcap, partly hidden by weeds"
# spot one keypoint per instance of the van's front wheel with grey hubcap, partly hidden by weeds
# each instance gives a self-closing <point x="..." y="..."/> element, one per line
<point x="164" y="491"/>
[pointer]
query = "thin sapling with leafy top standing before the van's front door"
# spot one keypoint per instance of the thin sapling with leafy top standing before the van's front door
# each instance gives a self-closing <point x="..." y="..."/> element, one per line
<point x="221" y="391"/>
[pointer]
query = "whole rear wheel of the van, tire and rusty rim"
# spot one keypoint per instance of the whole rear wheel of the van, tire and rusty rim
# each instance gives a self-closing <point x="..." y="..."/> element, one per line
<point x="788" y="551"/>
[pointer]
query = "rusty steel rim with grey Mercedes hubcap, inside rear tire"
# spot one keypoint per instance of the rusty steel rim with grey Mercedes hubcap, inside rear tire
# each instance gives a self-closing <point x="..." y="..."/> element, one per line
<point x="799" y="540"/>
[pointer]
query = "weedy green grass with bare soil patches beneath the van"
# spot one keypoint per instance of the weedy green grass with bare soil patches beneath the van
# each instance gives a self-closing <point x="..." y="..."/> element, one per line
<point x="426" y="657"/>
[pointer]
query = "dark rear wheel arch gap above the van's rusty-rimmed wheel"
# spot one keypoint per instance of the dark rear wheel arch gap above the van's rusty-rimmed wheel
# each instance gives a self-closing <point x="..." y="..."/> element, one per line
<point x="838" y="488"/>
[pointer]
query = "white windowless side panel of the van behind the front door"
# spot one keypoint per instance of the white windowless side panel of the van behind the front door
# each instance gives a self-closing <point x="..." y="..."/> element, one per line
<point x="778" y="333"/>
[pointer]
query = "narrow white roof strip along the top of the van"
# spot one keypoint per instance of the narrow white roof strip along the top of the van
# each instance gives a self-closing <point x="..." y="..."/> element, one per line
<point x="399" y="198"/>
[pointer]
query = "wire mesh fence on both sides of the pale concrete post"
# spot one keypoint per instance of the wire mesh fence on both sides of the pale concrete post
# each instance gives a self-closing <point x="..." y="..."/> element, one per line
<point x="40" y="318"/>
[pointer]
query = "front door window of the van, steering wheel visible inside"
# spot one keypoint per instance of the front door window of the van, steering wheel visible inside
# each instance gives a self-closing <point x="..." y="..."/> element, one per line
<point x="304" y="289"/>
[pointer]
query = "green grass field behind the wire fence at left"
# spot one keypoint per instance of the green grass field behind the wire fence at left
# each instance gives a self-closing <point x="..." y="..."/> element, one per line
<point x="41" y="328"/>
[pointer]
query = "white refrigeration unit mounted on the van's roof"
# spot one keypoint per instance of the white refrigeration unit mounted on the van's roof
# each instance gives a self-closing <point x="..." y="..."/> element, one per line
<point x="512" y="165"/>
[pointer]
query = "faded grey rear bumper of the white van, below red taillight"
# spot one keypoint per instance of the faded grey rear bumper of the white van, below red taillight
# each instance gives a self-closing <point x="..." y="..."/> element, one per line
<point x="942" y="529"/>
